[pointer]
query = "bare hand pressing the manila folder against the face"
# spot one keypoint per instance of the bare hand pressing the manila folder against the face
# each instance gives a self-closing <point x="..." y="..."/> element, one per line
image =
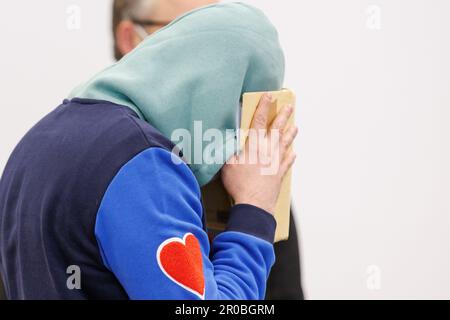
<point x="245" y="176"/>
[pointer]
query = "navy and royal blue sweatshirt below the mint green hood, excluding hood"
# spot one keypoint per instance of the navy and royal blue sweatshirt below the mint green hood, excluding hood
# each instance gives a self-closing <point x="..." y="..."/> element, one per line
<point x="95" y="190"/>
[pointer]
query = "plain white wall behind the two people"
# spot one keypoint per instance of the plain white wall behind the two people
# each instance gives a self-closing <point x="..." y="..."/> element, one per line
<point x="372" y="183"/>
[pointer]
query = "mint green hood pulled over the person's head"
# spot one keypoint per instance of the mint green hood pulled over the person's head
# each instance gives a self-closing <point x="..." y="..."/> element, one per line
<point x="196" y="69"/>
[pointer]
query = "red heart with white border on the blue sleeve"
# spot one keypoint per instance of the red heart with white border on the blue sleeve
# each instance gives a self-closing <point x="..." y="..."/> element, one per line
<point x="181" y="261"/>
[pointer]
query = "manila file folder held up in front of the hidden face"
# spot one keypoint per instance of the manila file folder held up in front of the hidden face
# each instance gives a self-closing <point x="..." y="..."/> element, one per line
<point x="217" y="202"/>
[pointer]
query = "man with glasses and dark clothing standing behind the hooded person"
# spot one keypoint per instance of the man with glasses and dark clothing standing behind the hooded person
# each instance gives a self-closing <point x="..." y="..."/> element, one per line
<point x="133" y="20"/>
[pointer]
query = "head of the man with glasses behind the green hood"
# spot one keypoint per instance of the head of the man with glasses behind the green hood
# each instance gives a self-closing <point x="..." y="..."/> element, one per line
<point x="134" y="19"/>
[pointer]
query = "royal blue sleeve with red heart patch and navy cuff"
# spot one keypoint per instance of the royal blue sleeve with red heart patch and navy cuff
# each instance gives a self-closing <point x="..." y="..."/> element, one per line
<point x="151" y="235"/>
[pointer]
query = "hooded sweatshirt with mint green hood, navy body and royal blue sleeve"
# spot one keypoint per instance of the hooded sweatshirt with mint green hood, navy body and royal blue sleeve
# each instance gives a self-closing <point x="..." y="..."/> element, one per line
<point x="96" y="201"/>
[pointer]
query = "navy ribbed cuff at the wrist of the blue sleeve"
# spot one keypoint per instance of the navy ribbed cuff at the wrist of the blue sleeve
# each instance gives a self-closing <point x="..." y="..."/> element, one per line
<point x="252" y="220"/>
